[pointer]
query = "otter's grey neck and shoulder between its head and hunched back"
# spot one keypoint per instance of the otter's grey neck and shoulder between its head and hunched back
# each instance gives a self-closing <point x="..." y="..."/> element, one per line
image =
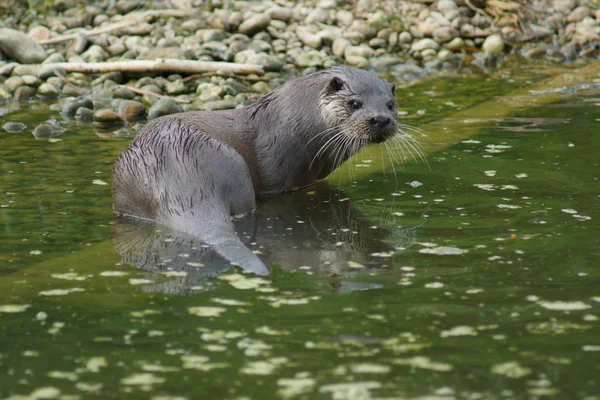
<point x="290" y="133"/>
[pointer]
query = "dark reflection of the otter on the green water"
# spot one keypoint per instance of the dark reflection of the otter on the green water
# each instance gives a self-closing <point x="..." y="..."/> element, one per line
<point x="313" y="229"/>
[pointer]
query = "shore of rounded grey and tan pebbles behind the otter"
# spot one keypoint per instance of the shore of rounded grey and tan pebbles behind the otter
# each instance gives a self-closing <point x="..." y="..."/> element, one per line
<point x="42" y="49"/>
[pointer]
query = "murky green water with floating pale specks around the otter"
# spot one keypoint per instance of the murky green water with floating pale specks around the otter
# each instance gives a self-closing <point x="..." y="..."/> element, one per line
<point x="363" y="301"/>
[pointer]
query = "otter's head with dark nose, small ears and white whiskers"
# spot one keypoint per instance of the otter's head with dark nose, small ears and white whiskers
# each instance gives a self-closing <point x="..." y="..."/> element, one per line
<point x="360" y="104"/>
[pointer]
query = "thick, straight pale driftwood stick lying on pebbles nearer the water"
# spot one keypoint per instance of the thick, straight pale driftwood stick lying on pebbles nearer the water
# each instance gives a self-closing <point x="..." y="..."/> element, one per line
<point x="160" y="65"/>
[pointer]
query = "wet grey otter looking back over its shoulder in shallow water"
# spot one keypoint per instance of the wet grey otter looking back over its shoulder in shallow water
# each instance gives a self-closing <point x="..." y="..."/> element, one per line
<point x="193" y="171"/>
